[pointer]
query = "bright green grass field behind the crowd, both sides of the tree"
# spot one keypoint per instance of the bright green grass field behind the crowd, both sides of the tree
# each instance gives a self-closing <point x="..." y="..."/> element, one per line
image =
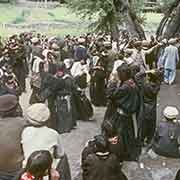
<point x="71" y="23"/>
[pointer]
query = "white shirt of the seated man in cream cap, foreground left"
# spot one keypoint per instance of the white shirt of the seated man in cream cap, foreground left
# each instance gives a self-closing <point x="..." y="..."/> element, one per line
<point x="41" y="138"/>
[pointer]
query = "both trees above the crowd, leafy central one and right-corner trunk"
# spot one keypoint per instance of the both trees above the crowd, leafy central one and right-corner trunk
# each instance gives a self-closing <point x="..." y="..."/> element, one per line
<point x="111" y="14"/>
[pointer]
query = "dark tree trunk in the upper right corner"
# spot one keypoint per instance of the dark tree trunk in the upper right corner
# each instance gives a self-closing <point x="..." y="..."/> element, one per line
<point x="170" y="24"/>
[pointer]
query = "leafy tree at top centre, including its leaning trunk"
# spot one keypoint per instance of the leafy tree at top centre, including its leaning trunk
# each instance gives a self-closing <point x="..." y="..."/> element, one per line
<point x="109" y="14"/>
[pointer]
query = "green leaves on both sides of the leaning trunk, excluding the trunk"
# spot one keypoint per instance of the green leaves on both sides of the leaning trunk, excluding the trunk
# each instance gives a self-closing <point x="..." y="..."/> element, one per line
<point x="106" y="14"/>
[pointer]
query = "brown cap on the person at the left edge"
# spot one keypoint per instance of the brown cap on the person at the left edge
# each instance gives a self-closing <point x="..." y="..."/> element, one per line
<point x="8" y="102"/>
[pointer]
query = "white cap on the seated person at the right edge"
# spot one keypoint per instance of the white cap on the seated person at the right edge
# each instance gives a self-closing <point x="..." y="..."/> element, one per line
<point x="171" y="112"/>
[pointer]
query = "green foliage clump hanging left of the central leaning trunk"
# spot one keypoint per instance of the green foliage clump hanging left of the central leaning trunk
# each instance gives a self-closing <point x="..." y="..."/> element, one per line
<point x="104" y="13"/>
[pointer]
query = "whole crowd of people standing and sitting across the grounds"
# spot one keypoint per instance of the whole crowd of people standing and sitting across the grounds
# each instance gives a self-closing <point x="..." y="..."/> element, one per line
<point x="68" y="78"/>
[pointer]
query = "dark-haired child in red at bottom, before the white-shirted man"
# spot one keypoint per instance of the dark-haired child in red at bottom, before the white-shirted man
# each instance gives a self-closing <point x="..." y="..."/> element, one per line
<point x="39" y="164"/>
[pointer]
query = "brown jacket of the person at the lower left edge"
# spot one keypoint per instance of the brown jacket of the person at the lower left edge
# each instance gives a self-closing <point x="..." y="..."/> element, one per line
<point x="11" y="154"/>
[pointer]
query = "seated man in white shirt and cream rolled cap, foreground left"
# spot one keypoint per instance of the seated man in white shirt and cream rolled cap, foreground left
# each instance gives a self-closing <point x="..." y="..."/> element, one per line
<point x="37" y="136"/>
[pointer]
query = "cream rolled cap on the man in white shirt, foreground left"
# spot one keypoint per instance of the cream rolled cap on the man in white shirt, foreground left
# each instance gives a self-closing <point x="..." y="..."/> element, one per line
<point x="37" y="114"/>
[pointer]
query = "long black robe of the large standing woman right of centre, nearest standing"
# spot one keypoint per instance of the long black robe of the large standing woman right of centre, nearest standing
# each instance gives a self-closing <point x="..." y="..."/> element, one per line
<point x="125" y="100"/>
